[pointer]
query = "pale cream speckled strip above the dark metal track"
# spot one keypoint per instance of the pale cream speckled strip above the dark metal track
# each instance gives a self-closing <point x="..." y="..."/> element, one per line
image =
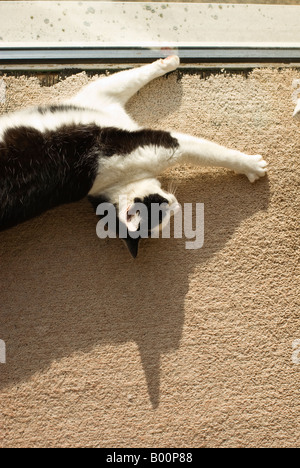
<point x="146" y="22"/>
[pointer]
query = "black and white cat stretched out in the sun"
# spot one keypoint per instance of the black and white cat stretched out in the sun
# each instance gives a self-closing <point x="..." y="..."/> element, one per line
<point x="89" y="145"/>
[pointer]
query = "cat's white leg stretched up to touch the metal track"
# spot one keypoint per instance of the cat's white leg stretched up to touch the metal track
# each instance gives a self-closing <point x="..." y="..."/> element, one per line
<point x="120" y="87"/>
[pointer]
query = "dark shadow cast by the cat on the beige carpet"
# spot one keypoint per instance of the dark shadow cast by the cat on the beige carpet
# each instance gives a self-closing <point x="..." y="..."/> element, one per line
<point x="63" y="290"/>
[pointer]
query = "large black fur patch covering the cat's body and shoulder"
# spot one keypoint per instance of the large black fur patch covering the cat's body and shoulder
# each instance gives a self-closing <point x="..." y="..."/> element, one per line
<point x="39" y="171"/>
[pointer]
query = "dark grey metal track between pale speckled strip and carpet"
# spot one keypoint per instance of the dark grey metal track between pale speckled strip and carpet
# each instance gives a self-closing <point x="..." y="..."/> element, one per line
<point x="203" y="54"/>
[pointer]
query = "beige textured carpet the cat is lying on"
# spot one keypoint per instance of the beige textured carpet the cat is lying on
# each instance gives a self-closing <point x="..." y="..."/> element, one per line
<point x="178" y="348"/>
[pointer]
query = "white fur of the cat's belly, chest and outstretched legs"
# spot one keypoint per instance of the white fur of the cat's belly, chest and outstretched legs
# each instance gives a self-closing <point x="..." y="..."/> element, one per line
<point x="135" y="175"/>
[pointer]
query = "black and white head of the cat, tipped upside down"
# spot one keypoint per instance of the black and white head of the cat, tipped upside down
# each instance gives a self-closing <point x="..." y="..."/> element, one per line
<point x="142" y="208"/>
